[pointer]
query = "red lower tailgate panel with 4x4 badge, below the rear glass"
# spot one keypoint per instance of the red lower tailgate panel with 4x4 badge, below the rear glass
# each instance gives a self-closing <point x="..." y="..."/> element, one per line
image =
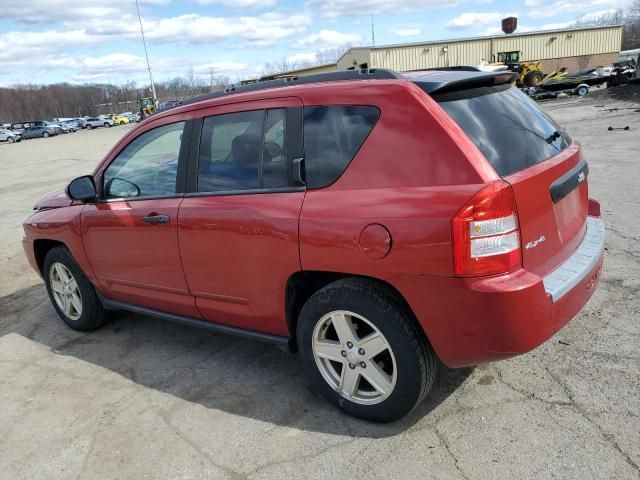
<point x="552" y="200"/>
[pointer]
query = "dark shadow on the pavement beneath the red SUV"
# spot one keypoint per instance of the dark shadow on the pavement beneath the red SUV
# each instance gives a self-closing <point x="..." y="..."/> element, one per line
<point x="217" y="371"/>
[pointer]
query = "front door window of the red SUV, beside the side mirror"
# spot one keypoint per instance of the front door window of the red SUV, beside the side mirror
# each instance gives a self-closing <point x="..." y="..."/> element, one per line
<point x="148" y="166"/>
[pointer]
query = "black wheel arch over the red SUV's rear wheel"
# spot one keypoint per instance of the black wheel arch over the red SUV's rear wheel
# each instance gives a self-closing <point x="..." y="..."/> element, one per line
<point x="303" y="284"/>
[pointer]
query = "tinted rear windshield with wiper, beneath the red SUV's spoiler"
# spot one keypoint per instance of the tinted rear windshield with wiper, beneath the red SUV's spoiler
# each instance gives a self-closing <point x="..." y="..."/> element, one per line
<point x="506" y="126"/>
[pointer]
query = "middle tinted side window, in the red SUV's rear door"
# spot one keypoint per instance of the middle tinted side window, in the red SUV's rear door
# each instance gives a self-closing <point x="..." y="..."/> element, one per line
<point x="243" y="151"/>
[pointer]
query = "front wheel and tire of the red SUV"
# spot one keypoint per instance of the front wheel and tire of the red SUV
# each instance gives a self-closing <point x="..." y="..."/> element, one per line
<point x="71" y="293"/>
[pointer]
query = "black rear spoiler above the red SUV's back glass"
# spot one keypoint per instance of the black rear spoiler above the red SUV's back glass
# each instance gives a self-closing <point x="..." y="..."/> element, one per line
<point x="437" y="82"/>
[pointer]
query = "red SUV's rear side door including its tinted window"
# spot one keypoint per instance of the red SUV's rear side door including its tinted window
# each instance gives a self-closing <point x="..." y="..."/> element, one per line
<point x="238" y="228"/>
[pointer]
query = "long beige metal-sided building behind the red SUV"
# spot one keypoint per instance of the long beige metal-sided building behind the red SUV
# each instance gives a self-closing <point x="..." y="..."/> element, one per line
<point x="575" y="49"/>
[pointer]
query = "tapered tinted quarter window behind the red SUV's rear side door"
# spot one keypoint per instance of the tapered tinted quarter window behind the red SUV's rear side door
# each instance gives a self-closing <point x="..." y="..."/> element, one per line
<point x="332" y="137"/>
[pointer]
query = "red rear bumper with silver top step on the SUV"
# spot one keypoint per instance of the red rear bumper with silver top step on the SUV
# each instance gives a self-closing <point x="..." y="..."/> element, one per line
<point x="470" y="321"/>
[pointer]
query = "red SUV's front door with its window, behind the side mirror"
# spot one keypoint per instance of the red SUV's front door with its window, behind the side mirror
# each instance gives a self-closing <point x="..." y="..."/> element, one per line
<point x="131" y="234"/>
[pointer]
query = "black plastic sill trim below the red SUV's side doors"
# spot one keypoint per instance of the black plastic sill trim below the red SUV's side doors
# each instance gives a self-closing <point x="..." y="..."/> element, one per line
<point x="278" y="340"/>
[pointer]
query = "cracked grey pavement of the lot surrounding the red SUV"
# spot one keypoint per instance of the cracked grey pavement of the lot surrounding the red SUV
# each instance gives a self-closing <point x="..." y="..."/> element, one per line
<point x="141" y="398"/>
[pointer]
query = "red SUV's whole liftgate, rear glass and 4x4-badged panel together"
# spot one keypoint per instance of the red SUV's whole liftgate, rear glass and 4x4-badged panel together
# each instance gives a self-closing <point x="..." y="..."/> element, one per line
<point x="540" y="161"/>
